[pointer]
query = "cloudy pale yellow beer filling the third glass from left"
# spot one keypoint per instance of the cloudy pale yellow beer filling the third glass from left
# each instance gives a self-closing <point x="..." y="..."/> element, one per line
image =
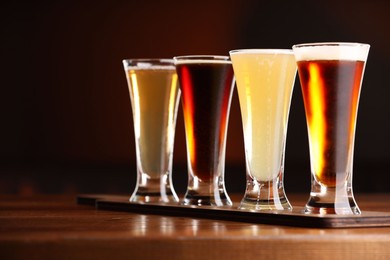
<point x="265" y="101"/>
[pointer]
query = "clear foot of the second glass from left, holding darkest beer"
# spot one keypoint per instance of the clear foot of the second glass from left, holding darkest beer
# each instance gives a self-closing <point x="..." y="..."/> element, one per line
<point x="197" y="199"/>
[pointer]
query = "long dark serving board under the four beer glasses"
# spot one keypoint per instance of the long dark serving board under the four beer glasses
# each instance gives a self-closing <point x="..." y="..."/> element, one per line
<point x="296" y="217"/>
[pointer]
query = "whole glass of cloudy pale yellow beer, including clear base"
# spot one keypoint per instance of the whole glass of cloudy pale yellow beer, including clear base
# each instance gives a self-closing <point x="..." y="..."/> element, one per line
<point x="265" y="80"/>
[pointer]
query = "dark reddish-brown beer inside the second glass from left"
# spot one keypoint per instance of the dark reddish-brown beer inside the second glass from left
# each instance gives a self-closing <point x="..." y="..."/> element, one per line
<point x="206" y="94"/>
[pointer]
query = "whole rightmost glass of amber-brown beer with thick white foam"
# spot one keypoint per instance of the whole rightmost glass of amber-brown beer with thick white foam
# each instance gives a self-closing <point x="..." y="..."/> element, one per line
<point x="331" y="75"/>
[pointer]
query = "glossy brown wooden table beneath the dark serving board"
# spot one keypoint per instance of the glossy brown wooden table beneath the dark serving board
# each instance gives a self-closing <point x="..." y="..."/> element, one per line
<point x="55" y="227"/>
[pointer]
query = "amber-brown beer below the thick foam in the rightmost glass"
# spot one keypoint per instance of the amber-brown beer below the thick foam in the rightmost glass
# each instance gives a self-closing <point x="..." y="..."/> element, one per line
<point x="331" y="90"/>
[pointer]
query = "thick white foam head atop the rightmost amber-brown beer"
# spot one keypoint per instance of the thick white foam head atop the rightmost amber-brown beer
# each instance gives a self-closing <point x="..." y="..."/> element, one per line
<point x="331" y="51"/>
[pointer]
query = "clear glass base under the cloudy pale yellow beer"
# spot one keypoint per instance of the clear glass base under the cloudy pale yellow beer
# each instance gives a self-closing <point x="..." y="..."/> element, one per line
<point x="265" y="195"/>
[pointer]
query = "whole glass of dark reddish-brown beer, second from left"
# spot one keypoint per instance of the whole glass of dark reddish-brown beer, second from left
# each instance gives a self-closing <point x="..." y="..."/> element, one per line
<point x="206" y="84"/>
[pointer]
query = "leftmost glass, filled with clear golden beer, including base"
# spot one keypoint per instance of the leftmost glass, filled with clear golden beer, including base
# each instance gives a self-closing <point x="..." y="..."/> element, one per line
<point x="155" y="96"/>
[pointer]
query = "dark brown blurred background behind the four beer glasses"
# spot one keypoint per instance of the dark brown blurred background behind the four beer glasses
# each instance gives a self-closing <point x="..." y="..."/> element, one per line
<point x="66" y="123"/>
